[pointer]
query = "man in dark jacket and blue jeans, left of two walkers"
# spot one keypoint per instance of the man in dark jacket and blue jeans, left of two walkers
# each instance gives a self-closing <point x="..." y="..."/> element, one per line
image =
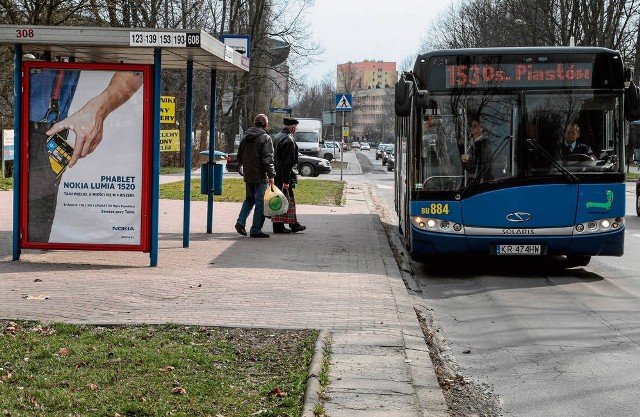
<point x="256" y="156"/>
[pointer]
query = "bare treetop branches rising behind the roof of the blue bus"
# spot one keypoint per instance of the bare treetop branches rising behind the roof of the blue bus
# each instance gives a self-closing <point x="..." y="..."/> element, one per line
<point x="491" y="23"/>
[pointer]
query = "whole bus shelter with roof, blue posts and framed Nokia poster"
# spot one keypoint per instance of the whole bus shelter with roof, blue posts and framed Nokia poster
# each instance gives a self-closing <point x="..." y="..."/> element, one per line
<point x="87" y="111"/>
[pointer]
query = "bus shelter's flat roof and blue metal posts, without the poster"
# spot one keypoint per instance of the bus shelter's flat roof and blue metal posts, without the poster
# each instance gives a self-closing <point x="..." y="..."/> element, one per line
<point x="162" y="48"/>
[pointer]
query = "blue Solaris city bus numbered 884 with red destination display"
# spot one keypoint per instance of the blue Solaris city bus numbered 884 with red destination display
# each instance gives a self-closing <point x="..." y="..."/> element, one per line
<point x="513" y="151"/>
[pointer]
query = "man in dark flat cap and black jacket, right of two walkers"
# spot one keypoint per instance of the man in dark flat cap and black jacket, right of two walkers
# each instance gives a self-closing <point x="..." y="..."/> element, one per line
<point x="286" y="159"/>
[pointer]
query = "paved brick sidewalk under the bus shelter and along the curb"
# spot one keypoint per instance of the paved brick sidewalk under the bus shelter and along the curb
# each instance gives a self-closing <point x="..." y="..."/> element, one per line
<point x="339" y="276"/>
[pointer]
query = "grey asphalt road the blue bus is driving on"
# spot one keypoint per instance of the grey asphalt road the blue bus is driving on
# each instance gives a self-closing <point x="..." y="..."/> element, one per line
<point x="546" y="342"/>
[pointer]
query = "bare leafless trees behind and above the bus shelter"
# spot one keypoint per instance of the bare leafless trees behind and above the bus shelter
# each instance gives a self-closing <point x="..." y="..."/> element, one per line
<point x="266" y="21"/>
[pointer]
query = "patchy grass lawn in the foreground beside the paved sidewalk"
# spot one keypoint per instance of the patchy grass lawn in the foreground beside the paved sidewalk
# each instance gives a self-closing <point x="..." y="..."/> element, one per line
<point x="142" y="370"/>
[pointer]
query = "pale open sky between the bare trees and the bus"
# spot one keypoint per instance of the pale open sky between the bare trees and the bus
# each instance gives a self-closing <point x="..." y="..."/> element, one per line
<point x="374" y="30"/>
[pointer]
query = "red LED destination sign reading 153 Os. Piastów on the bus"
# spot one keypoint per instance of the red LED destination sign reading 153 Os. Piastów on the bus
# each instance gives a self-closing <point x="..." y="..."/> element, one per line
<point x="519" y="75"/>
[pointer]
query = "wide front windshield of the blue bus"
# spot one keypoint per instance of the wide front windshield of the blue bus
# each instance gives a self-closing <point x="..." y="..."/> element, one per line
<point x="478" y="137"/>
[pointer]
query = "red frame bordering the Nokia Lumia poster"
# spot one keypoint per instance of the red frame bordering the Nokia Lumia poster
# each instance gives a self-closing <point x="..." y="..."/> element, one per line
<point x="147" y="157"/>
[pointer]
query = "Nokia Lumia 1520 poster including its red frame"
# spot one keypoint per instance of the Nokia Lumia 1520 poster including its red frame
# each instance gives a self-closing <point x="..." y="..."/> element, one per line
<point x="86" y="185"/>
